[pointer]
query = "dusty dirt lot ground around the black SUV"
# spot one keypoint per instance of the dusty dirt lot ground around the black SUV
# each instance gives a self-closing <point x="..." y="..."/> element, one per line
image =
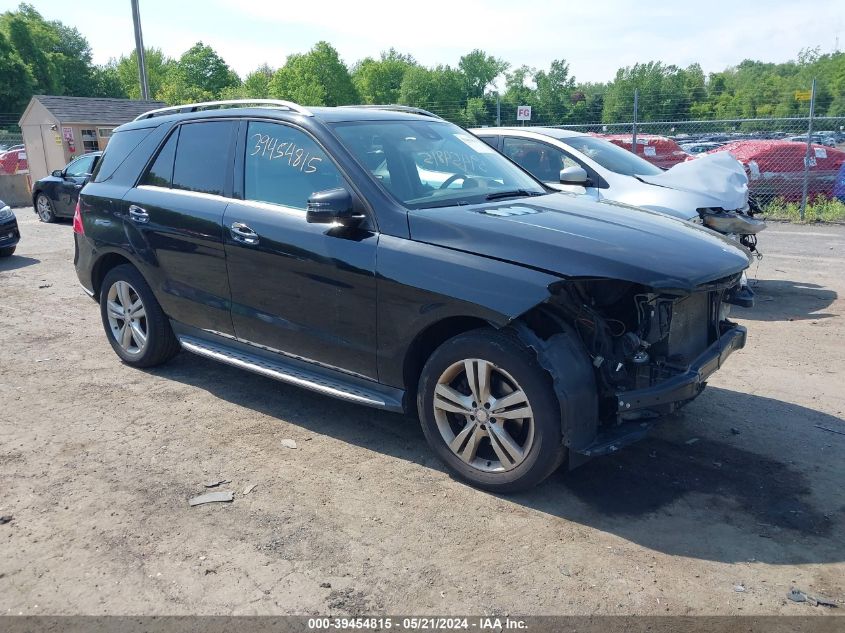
<point x="98" y="460"/>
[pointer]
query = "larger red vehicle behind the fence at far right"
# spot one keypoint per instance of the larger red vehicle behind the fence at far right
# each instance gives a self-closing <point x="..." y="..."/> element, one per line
<point x="776" y="168"/>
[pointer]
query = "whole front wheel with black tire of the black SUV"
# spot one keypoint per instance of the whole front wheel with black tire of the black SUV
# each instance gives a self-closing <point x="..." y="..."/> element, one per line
<point x="489" y="411"/>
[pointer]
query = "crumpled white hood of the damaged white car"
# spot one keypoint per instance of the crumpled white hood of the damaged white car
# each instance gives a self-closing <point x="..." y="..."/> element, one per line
<point x="718" y="178"/>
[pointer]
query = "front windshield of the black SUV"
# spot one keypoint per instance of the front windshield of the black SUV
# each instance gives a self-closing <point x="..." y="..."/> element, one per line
<point x="426" y="164"/>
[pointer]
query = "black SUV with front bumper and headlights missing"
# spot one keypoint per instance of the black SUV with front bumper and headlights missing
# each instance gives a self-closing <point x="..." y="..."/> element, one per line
<point x="392" y="259"/>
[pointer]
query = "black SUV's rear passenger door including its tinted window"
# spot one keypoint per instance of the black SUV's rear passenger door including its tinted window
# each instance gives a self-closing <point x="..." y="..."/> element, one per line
<point x="174" y="223"/>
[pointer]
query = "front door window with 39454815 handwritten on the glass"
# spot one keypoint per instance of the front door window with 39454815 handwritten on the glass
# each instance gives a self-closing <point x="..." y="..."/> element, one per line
<point x="285" y="166"/>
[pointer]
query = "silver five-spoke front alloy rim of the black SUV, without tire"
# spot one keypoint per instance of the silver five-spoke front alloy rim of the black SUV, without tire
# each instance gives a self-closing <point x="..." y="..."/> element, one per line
<point x="483" y="415"/>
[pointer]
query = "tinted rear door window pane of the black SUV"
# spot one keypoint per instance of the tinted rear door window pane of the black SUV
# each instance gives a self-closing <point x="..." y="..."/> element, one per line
<point x="203" y="156"/>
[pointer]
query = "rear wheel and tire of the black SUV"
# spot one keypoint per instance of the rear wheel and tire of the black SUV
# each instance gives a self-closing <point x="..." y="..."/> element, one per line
<point x="136" y="327"/>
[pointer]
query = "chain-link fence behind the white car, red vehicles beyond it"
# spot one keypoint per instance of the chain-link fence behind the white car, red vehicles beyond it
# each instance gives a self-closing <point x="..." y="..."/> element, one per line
<point x="790" y="142"/>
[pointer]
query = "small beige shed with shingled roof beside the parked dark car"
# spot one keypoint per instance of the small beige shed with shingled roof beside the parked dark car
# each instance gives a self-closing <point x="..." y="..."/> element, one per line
<point x="58" y="129"/>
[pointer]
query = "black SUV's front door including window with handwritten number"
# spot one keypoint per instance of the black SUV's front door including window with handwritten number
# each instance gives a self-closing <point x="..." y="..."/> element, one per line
<point x="308" y="290"/>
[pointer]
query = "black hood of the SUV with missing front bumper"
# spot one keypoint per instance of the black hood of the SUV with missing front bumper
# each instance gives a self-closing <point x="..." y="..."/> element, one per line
<point x="572" y="236"/>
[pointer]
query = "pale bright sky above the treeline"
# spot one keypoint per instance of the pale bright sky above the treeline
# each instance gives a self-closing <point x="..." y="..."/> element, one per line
<point x="596" y="37"/>
